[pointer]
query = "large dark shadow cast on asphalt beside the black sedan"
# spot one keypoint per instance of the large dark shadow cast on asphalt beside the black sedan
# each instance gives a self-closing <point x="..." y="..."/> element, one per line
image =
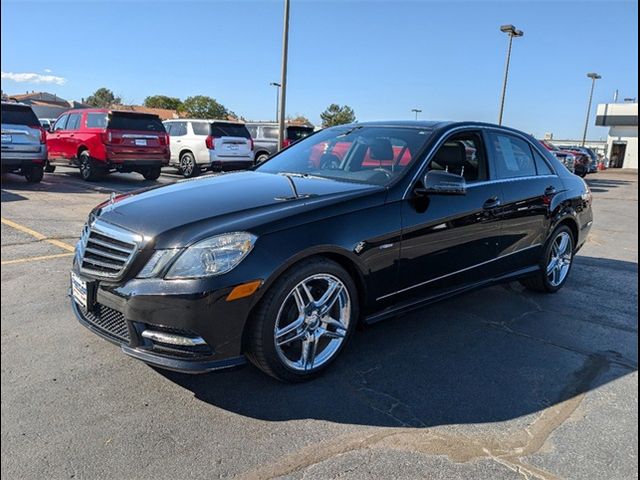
<point x="488" y="356"/>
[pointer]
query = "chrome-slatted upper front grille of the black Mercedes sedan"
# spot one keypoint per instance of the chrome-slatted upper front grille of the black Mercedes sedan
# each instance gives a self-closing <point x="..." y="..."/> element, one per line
<point x="105" y="251"/>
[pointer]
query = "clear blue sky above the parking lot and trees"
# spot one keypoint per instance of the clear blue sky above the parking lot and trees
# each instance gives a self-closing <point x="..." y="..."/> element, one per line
<point x="383" y="58"/>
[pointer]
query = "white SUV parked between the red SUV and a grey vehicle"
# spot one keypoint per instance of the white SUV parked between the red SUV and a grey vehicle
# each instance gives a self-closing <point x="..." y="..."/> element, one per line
<point x="218" y="145"/>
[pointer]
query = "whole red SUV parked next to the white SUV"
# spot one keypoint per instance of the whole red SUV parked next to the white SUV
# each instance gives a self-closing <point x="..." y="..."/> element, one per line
<point x="99" y="141"/>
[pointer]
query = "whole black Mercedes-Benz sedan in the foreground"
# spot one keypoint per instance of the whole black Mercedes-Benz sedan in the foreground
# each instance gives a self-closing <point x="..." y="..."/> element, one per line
<point x="354" y="223"/>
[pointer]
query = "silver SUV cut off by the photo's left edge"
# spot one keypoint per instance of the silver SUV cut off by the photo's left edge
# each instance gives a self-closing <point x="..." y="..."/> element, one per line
<point x="24" y="148"/>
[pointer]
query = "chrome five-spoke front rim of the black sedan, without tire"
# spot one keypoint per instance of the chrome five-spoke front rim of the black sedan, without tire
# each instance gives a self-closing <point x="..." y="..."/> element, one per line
<point x="312" y="322"/>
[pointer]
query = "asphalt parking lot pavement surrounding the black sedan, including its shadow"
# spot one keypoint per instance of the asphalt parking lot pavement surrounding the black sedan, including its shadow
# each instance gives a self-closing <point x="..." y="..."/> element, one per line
<point x="501" y="383"/>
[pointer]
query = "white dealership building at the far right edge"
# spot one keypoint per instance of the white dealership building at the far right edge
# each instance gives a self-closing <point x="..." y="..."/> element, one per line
<point x="622" y="141"/>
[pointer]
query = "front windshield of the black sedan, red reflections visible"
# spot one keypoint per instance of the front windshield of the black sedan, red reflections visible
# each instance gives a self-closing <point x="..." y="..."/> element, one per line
<point x="362" y="154"/>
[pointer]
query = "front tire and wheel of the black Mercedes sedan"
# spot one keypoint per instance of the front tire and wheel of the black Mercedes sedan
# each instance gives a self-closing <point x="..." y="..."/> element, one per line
<point x="304" y="321"/>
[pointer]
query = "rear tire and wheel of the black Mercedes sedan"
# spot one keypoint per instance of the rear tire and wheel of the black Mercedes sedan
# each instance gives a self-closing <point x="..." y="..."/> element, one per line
<point x="555" y="263"/>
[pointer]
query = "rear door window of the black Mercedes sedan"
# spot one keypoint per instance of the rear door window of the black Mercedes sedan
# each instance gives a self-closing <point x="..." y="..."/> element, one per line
<point x="512" y="156"/>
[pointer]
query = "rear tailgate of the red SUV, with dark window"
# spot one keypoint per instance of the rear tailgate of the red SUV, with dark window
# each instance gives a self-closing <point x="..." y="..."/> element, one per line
<point x="136" y="134"/>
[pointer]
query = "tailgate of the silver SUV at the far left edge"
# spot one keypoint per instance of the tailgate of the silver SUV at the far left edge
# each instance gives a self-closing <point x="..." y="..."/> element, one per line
<point x="21" y="130"/>
